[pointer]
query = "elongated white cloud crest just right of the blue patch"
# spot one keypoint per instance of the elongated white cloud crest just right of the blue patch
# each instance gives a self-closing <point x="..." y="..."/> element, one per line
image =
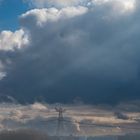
<point x="42" y="16"/>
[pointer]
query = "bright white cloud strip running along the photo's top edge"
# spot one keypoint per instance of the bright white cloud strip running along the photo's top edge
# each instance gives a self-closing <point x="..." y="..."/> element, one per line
<point x="125" y="4"/>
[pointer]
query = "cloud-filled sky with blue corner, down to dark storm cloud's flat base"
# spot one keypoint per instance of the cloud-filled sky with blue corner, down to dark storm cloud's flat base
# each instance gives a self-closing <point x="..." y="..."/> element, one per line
<point x="70" y="50"/>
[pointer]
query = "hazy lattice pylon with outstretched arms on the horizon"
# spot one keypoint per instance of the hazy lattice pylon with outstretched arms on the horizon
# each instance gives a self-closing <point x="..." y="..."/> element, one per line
<point x="60" y="125"/>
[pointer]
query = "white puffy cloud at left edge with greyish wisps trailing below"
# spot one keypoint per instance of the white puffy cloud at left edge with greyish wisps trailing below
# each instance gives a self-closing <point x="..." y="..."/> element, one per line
<point x="10" y="42"/>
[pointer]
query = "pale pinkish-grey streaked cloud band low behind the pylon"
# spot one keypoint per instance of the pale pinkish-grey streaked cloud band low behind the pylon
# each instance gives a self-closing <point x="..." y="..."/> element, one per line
<point x="43" y="117"/>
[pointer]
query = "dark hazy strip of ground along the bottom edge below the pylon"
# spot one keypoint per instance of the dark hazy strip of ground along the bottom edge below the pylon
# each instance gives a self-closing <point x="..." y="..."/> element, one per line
<point x="35" y="135"/>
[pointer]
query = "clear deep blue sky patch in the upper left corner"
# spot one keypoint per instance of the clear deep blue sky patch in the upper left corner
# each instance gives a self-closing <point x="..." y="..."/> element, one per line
<point x="9" y="13"/>
